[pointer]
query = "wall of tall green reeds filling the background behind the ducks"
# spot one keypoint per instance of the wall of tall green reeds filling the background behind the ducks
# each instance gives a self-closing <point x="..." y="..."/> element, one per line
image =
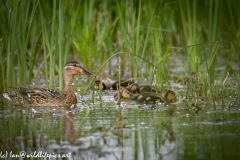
<point x="38" y="37"/>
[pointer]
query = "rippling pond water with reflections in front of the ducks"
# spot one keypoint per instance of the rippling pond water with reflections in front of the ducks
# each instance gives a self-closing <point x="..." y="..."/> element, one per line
<point x="129" y="131"/>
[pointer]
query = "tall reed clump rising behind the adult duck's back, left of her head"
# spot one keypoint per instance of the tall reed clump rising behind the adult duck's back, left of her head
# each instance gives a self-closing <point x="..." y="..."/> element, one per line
<point x="56" y="37"/>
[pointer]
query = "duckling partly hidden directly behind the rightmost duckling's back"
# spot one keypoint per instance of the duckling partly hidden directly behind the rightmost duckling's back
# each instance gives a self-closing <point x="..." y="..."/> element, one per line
<point x="142" y="88"/>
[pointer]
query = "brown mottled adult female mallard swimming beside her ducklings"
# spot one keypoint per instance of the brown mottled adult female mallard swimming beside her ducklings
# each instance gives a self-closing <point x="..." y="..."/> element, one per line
<point x="48" y="97"/>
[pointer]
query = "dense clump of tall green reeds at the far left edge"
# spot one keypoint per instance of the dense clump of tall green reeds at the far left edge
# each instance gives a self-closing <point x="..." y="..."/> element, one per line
<point x="17" y="36"/>
